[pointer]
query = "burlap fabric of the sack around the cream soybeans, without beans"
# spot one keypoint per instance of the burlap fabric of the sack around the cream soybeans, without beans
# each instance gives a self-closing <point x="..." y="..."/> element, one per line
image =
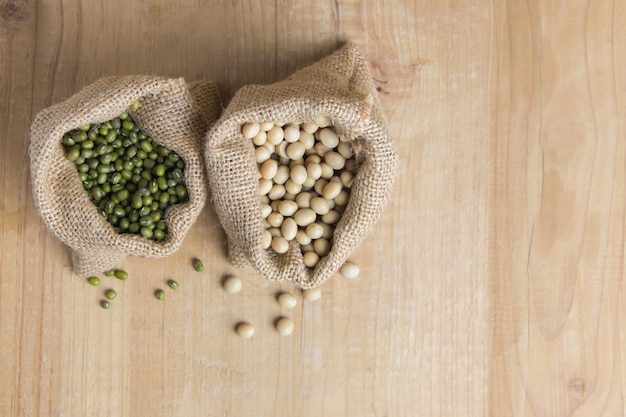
<point x="338" y="86"/>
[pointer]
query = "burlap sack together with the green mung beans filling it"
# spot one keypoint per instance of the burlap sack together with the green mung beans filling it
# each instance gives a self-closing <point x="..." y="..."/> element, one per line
<point x="117" y="168"/>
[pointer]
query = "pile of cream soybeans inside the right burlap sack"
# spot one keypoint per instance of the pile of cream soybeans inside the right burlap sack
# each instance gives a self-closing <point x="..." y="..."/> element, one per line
<point x="306" y="171"/>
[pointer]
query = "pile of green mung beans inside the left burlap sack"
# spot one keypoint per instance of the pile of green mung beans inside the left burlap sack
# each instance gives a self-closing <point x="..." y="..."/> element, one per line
<point x="130" y="178"/>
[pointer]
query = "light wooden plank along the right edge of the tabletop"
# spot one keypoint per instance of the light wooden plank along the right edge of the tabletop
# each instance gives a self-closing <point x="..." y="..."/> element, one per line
<point x="558" y="236"/>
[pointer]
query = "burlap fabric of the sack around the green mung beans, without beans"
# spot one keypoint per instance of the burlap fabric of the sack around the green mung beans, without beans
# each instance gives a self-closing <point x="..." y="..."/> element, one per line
<point x="173" y="113"/>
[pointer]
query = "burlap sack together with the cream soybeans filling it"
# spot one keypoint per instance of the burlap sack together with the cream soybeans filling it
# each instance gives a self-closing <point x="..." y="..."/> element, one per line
<point x="300" y="170"/>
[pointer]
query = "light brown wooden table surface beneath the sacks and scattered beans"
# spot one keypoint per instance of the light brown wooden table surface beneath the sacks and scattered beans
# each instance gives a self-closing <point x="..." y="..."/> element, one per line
<point x="492" y="285"/>
